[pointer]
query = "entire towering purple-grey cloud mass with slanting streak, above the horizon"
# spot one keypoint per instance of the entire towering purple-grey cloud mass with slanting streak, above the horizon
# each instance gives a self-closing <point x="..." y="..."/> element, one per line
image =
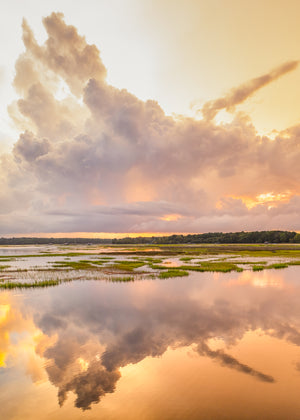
<point x="91" y="157"/>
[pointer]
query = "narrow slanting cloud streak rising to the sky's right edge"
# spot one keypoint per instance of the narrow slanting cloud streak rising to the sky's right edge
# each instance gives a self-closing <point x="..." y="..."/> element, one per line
<point x="238" y="95"/>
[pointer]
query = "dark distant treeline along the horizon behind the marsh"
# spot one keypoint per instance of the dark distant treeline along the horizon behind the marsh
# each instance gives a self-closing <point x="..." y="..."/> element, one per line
<point x="269" y="236"/>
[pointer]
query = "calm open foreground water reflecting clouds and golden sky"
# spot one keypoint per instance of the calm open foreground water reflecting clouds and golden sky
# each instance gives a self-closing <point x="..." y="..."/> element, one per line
<point x="207" y="346"/>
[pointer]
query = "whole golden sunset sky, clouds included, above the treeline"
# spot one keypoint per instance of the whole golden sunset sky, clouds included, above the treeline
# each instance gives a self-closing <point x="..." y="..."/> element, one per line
<point x="141" y="117"/>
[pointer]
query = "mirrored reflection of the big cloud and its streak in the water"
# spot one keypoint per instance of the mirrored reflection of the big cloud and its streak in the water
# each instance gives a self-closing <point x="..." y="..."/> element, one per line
<point x="101" y="327"/>
